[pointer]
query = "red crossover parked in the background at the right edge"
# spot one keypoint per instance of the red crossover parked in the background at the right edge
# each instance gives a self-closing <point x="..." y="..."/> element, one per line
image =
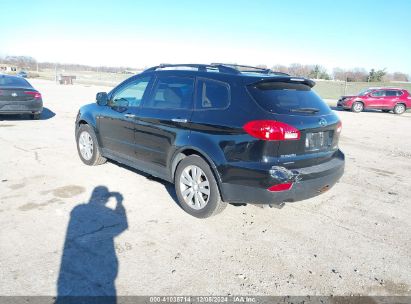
<point x="385" y="99"/>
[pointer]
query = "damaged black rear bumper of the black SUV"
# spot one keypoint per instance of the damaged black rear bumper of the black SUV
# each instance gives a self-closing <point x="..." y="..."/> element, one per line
<point x="307" y="183"/>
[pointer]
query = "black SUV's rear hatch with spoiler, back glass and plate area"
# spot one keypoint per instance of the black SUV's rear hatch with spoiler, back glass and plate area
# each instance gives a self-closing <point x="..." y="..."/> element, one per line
<point x="293" y="102"/>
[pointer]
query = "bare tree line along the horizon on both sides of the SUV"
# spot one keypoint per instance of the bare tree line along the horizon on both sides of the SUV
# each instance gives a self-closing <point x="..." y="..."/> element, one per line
<point x="314" y="71"/>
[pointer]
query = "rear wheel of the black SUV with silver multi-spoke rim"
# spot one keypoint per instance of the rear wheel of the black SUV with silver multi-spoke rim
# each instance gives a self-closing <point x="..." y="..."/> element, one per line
<point x="197" y="202"/>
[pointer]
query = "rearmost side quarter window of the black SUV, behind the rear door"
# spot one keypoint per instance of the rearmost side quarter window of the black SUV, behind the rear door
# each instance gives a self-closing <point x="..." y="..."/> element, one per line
<point x="212" y="94"/>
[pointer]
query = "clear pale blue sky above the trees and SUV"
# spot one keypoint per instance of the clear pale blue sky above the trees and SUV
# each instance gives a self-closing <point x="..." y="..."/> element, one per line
<point x="346" y="34"/>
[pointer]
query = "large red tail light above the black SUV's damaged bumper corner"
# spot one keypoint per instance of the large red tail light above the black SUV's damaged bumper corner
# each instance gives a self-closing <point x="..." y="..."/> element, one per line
<point x="271" y="130"/>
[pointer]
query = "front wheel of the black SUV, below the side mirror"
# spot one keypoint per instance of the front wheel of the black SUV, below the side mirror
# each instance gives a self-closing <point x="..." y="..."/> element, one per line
<point x="85" y="137"/>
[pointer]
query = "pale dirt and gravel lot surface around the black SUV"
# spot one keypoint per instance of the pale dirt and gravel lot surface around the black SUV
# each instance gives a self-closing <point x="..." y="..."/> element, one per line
<point x="354" y="239"/>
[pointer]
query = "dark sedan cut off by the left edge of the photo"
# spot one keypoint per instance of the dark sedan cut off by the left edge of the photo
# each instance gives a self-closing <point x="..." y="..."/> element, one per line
<point x="17" y="96"/>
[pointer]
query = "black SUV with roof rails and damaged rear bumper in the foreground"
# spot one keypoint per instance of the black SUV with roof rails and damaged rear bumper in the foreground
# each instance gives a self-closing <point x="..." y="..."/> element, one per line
<point x="221" y="133"/>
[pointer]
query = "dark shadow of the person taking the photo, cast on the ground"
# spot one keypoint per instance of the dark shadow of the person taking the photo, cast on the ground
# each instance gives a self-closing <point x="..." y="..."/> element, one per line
<point x="89" y="265"/>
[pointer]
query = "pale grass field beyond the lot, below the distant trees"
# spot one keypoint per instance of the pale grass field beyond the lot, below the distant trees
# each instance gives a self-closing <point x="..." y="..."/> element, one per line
<point x="326" y="89"/>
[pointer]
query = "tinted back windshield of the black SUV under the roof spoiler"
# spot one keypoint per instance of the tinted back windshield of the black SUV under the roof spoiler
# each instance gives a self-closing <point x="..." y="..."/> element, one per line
<point x="288" y="98"/>
